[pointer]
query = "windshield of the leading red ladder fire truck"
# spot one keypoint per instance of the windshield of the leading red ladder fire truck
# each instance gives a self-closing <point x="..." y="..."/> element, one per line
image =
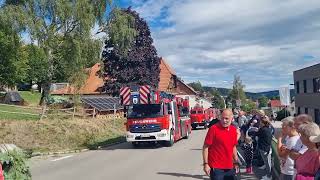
<point x="145" y="110"/>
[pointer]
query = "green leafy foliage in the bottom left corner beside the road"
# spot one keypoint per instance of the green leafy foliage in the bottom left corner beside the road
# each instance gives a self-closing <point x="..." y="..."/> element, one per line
<point x="14" y="165"/>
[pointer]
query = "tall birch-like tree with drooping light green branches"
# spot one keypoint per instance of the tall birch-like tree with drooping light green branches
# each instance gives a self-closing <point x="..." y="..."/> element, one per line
<point x="62" y="29"/>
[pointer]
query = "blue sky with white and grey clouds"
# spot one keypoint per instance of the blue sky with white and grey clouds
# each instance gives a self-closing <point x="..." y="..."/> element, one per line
<point x="211" y="40"/>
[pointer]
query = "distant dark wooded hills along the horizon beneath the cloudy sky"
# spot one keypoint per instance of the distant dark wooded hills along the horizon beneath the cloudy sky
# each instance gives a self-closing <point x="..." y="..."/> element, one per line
<point x="251" y="95"/>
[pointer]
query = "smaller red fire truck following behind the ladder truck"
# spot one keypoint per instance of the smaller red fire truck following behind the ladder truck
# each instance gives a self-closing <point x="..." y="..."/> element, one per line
<point x="201" y="116"/>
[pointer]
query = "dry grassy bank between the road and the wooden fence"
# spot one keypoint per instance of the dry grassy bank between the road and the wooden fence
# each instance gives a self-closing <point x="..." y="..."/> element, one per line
<point x="58" y="135"/>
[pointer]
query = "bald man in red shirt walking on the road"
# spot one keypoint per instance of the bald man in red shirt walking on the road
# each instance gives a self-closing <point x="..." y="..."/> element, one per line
<point x="219" y="149"/>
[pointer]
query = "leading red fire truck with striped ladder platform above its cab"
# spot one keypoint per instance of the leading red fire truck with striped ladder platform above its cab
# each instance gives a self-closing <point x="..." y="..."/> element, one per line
<point x="154" y="116"/>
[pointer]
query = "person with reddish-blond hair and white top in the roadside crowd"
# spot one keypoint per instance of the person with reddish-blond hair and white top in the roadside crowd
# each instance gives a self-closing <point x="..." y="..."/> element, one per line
<point x="291" y="137"/>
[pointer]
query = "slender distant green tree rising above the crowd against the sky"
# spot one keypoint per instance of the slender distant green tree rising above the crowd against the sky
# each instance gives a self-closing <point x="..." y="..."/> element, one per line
<point x="237" y="92"/>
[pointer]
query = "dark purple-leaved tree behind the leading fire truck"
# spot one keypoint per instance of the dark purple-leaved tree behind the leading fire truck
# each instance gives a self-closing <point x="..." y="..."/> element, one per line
<point x="139" y="66"/>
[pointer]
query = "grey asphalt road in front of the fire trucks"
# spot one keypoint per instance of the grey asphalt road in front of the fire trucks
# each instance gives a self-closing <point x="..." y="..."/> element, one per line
<point x="122" y="162"/>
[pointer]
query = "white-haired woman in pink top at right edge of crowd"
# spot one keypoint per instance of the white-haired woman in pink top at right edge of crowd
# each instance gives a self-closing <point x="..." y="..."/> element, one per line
<point x="308" y="163"/>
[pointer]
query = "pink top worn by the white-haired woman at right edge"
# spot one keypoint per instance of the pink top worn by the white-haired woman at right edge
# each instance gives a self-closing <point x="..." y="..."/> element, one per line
<point x="308" y="163"/>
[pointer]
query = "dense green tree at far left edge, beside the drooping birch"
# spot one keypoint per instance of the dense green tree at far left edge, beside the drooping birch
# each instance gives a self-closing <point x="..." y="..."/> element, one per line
<point x="13" y="60"/>
